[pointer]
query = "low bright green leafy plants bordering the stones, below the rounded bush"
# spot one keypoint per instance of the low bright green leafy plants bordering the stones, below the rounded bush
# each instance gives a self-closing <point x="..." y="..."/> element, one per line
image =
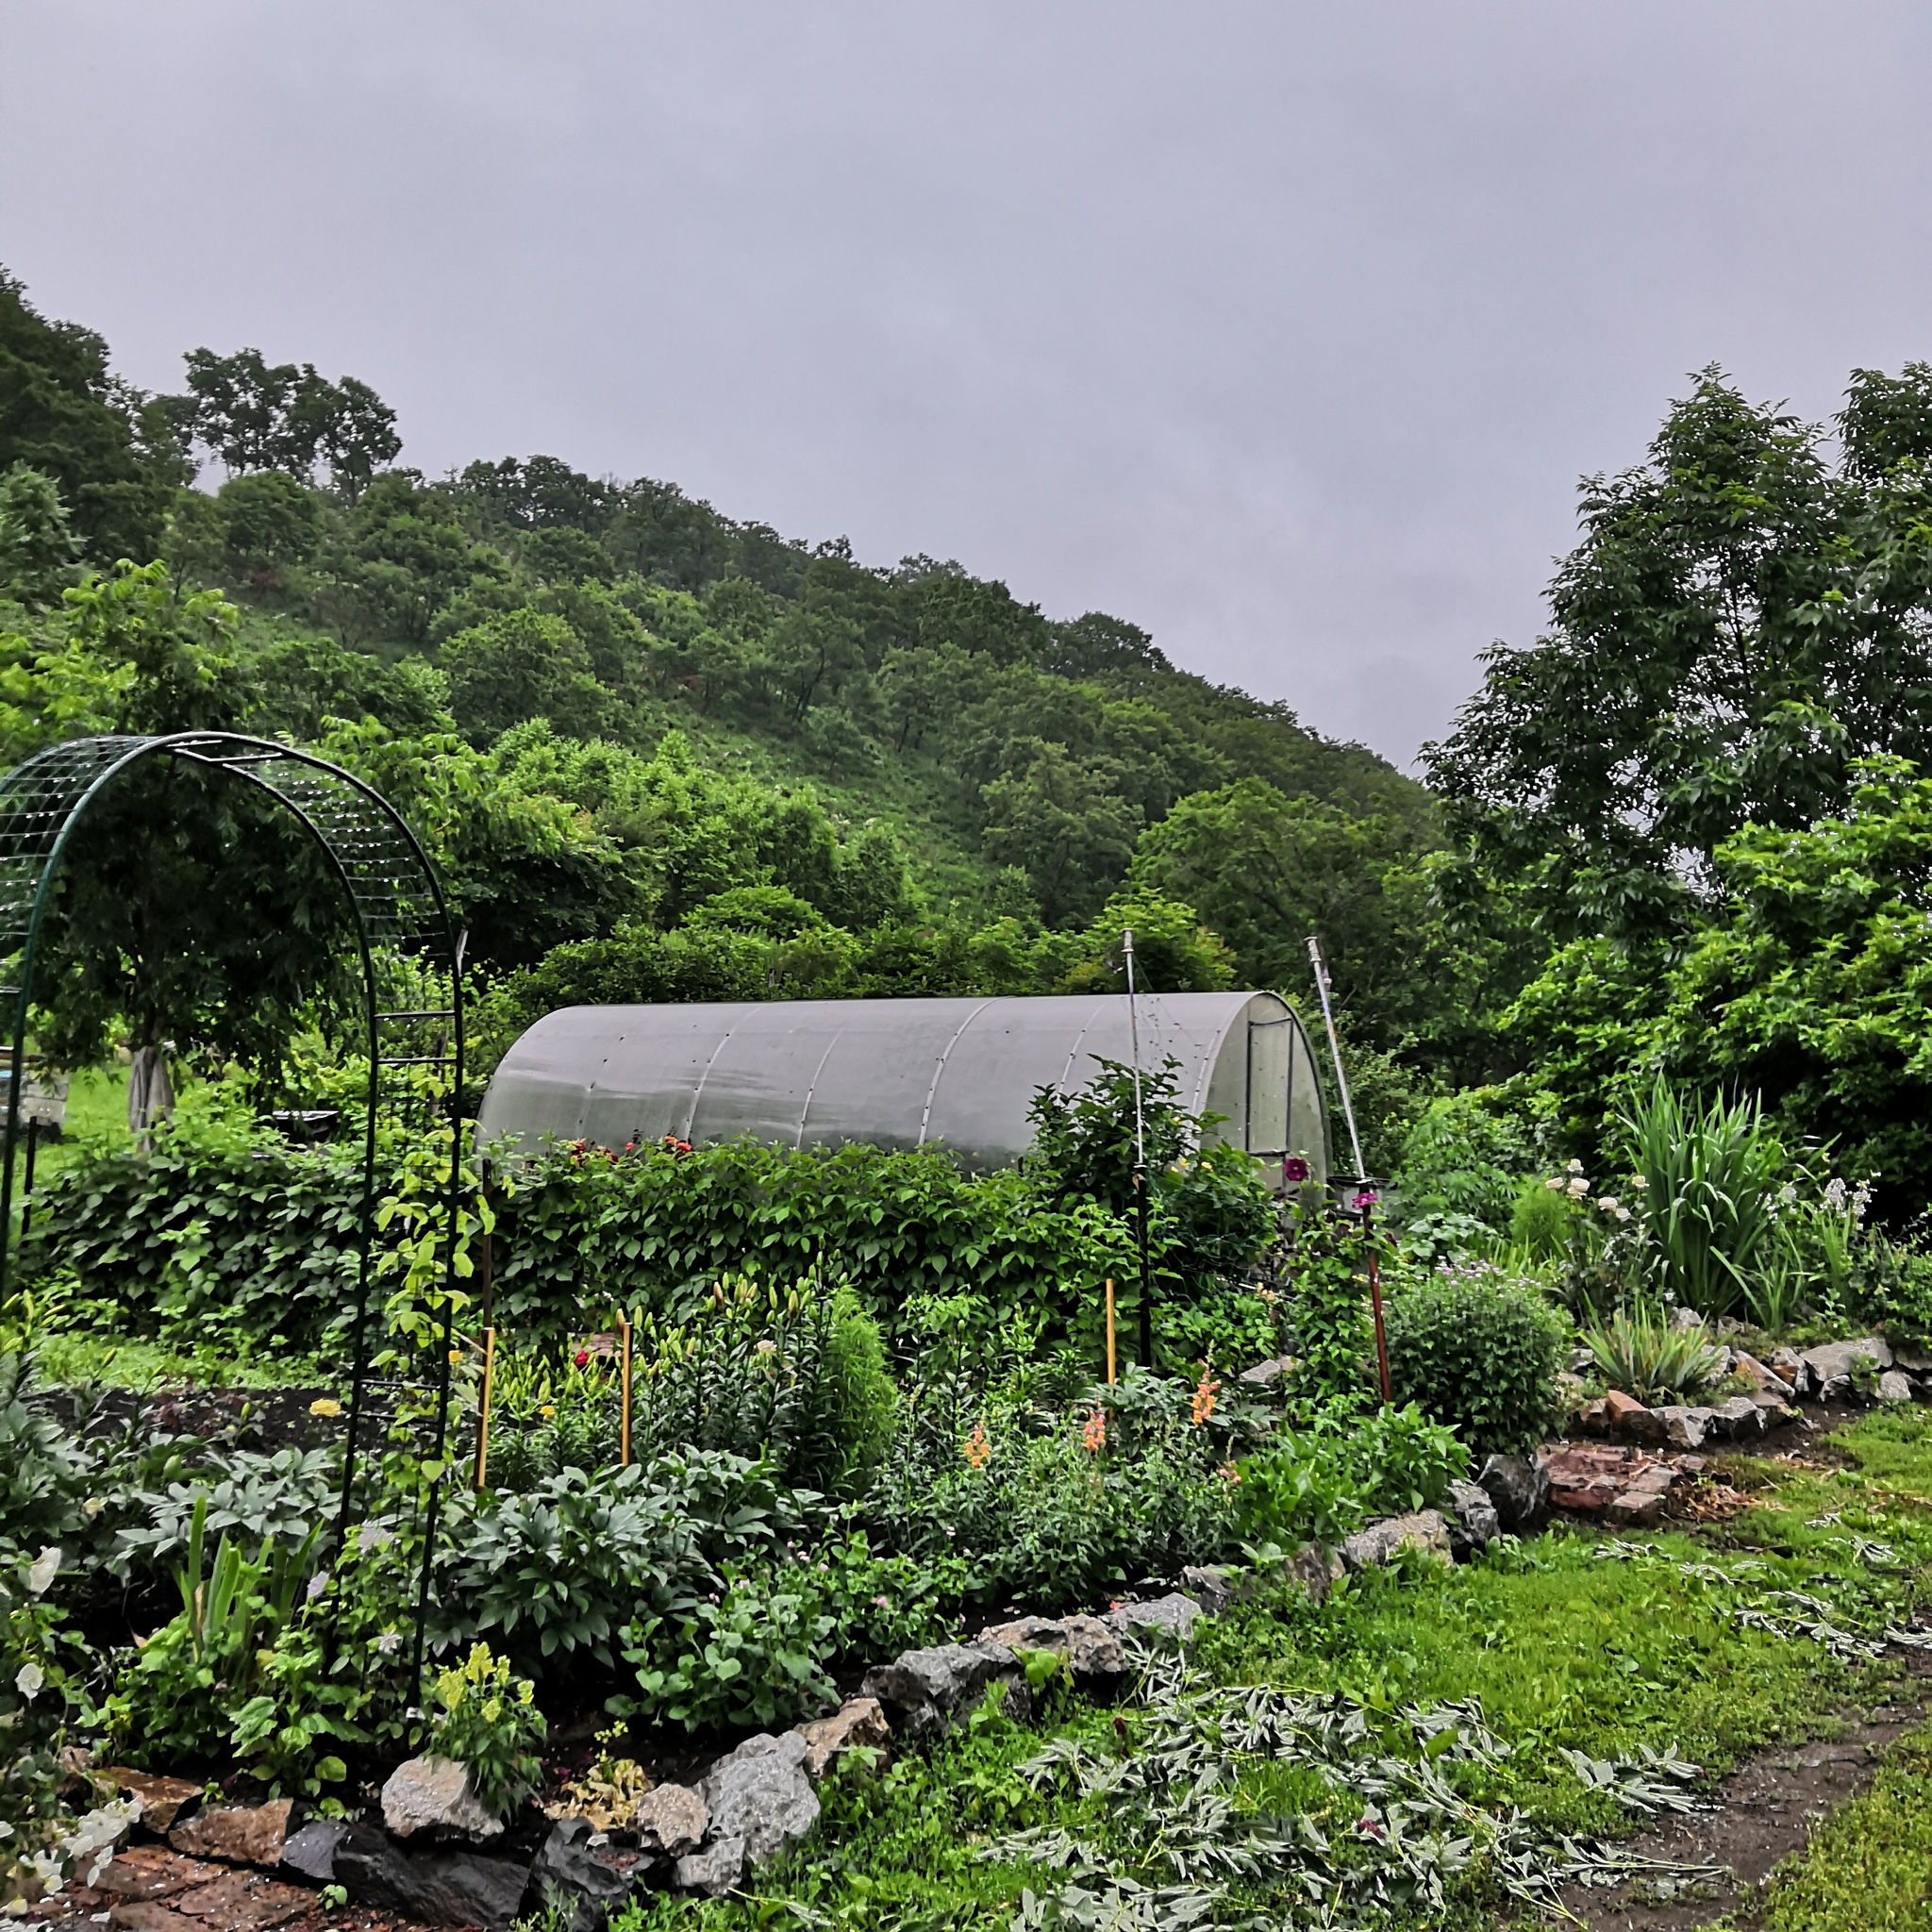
<point x="1322" y="1481"/>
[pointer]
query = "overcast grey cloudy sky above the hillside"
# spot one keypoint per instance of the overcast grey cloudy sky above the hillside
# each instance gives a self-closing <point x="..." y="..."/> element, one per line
<point x="1280" y="329"/>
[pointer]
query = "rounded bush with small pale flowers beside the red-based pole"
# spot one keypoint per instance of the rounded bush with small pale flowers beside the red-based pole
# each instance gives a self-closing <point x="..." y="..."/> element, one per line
<point x="1479" y="1351"/>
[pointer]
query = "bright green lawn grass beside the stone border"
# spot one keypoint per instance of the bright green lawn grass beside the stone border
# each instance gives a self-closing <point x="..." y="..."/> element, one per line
<point x="1564" y="1651"/>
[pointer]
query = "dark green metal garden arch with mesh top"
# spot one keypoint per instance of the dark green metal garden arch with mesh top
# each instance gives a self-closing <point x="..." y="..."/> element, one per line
<point x="397" y="903"/>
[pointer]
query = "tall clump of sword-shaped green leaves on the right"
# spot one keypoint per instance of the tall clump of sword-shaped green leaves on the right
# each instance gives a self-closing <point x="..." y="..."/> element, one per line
<point x="1709" y="1176"/>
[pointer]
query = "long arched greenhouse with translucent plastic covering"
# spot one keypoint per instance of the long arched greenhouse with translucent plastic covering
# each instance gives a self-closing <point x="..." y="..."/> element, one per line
<point x="897" y="1073"/>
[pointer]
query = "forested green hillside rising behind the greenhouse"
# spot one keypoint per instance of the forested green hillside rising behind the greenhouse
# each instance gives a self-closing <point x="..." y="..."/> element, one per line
<point x="666" y="754"/>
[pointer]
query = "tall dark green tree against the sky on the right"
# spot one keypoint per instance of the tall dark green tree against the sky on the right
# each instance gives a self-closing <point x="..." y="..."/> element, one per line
<point x="1740" y="623"/>
